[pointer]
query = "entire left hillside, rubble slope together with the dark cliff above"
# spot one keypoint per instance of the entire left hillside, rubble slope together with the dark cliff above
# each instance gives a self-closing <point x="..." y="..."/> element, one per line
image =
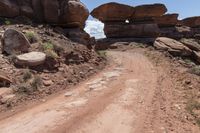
<point x="44" y="49"/>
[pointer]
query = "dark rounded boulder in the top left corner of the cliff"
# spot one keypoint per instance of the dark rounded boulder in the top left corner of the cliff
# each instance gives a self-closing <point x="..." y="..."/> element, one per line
<point x="9" y="8"/>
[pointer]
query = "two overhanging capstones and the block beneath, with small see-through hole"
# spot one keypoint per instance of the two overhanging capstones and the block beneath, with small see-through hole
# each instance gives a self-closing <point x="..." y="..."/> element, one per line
<point x="123" y="21"/>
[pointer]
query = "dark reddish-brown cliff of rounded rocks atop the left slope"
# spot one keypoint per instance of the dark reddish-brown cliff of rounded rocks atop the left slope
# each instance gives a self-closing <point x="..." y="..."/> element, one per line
<point x="69" y="13"/>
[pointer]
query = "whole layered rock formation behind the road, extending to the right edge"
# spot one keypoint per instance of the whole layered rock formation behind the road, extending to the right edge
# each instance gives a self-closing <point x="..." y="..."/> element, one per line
<point x="144" y="21"/>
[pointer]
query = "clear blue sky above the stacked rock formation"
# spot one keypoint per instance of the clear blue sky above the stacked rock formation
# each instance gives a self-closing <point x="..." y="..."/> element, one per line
<point x="185" y="8"/>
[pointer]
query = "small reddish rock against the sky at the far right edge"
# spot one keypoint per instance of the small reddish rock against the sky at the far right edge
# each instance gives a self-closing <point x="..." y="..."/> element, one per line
<point x="191" y="21"/>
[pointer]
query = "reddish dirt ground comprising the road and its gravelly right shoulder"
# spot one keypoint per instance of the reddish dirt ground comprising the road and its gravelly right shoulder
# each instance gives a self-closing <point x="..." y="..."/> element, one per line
<point x="141" y="90"/>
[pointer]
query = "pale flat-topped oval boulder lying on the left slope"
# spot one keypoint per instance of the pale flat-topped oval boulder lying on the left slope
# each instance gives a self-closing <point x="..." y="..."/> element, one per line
<point x="31" y="59"/>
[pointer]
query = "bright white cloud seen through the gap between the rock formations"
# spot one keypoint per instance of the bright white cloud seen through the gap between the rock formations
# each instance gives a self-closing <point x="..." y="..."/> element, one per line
<point x="95" y="29"/>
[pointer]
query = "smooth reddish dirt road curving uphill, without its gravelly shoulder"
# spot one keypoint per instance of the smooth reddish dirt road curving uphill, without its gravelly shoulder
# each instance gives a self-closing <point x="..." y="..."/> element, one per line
<point x="117" y="100"/>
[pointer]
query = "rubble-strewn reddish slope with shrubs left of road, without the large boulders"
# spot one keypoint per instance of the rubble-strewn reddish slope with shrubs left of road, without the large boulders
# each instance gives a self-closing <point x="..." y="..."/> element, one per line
<point x="68" y="63"/>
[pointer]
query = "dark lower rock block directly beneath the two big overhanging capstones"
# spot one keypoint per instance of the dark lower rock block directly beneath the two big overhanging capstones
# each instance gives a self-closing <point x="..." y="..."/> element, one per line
<point x="115" y="30"/>
